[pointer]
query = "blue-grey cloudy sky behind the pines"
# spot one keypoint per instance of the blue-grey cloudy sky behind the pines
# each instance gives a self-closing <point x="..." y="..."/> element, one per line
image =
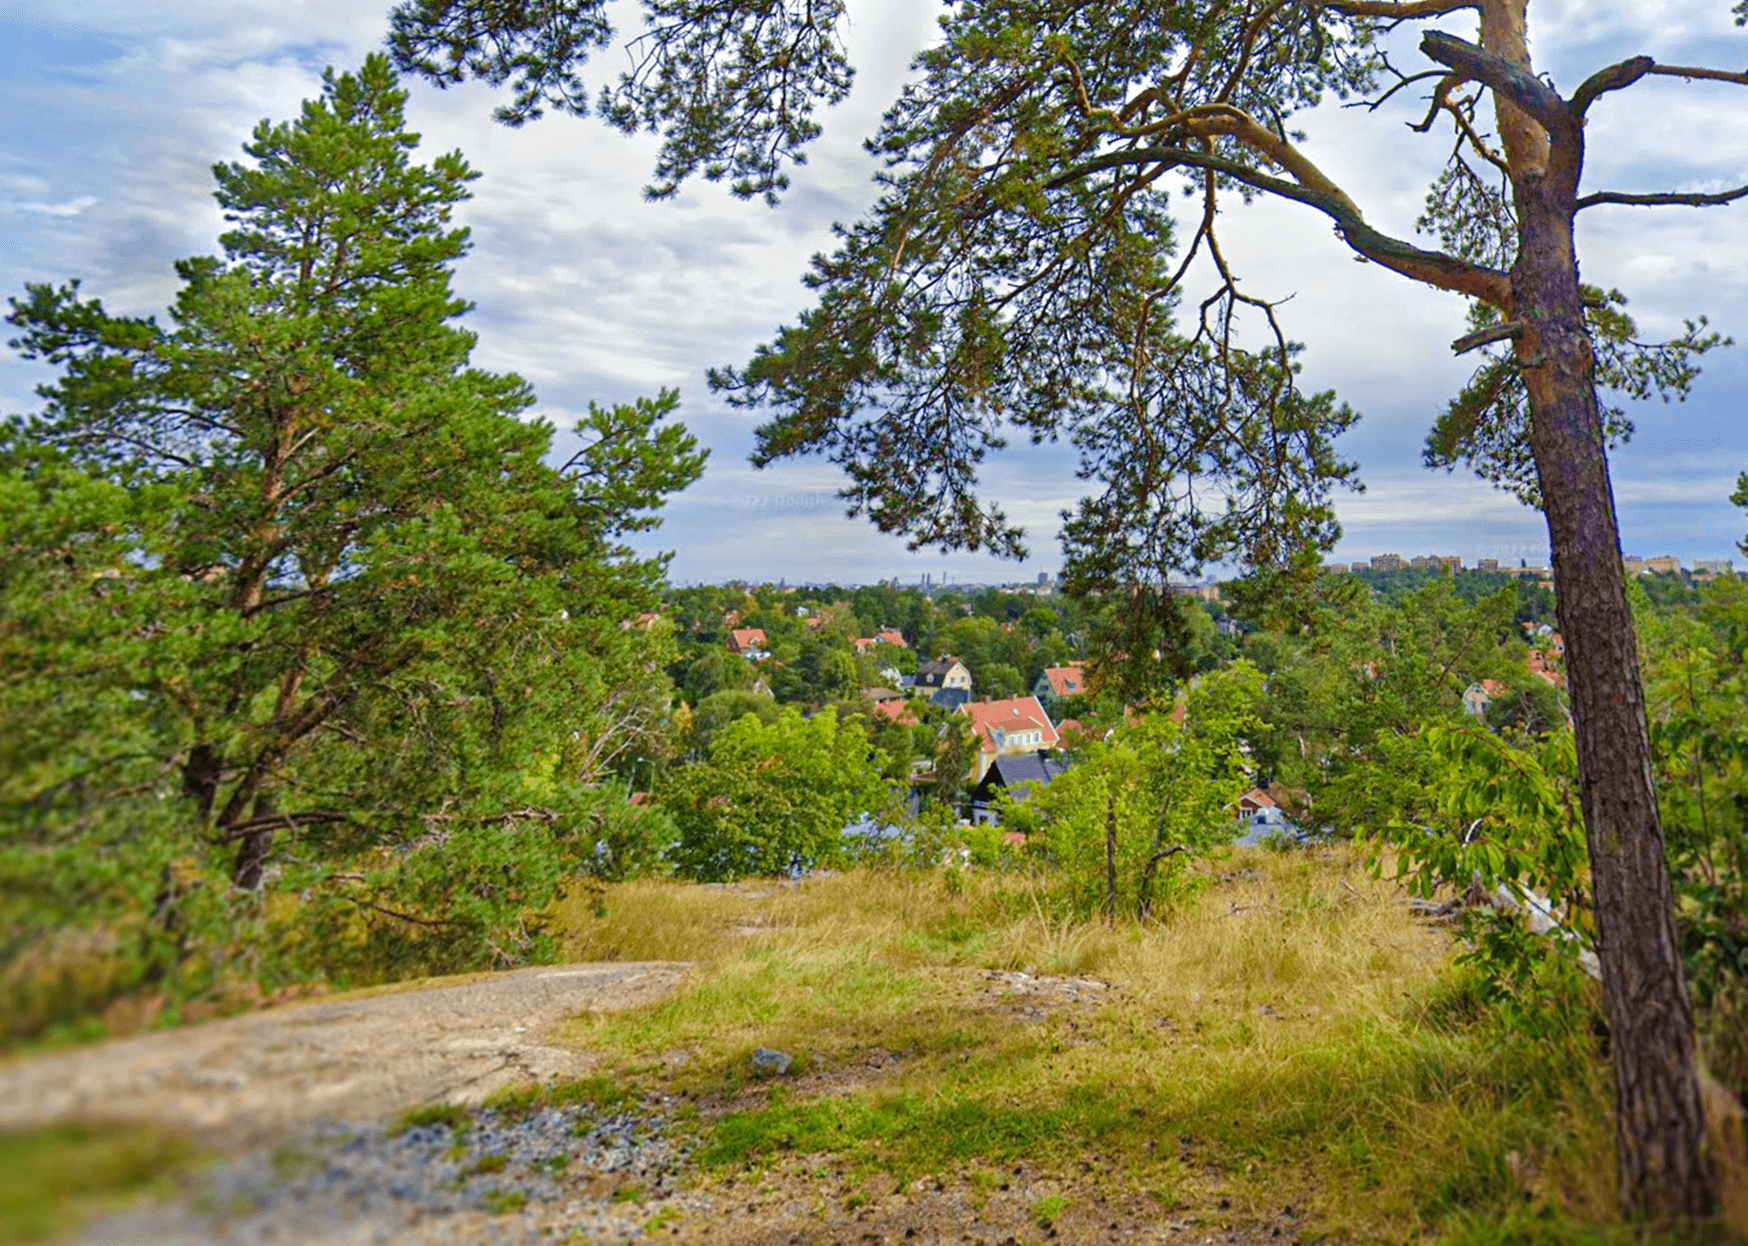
<point x="114" y="113"/>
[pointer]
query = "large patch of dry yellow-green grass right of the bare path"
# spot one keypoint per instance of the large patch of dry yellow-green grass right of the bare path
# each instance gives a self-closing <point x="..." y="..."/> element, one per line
<point x="1294" y="1023"/>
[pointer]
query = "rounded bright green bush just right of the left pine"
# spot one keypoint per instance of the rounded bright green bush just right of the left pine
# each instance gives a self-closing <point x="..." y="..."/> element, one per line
<point x="775" y="798"/>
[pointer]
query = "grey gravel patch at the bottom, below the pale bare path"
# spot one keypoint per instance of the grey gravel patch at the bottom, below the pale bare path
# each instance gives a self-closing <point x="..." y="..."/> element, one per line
<point x="571" y="1173"/>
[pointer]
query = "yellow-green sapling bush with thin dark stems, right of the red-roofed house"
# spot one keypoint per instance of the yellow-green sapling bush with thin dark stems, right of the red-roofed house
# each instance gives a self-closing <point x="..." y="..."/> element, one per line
<point x="1125" y="824"/>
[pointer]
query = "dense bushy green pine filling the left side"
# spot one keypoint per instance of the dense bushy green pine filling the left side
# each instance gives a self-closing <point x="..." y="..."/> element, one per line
<point x="310" y="663"/>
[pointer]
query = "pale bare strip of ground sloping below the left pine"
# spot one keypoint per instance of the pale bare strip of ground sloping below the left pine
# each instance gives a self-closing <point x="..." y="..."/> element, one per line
<point x="251" y="1079"/>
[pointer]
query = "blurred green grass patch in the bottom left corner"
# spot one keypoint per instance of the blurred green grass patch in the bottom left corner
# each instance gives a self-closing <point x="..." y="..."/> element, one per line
<point x="52" y="1180"/>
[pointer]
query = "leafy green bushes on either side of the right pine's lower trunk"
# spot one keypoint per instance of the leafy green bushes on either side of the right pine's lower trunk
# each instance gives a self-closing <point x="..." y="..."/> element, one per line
<point x="1494" y="813"/>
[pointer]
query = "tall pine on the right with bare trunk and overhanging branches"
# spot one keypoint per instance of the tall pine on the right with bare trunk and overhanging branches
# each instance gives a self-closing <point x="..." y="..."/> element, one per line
<point x="1022" y="270"/>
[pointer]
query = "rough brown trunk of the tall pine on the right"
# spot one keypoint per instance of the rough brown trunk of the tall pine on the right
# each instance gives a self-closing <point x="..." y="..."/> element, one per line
<point x="1660" y="1123"/>
